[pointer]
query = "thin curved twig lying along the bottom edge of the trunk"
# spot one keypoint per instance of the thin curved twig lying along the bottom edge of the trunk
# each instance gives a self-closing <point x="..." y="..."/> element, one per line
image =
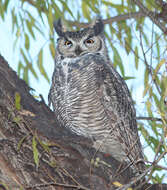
<point x="57" y="184"/>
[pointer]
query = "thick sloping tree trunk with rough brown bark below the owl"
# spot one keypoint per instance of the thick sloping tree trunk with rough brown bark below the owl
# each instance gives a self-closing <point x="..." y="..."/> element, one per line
<point x="66" y="161"/>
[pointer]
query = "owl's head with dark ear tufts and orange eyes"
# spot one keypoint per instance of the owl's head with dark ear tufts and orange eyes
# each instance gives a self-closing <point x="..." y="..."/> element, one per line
<point x="78" y="43"/>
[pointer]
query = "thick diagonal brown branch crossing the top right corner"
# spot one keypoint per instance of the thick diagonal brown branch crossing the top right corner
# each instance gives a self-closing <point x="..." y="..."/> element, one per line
<point x="151" y="15"/>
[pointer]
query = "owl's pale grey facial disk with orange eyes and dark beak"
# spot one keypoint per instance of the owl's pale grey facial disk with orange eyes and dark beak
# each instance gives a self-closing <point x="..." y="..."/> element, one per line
<point x="74" y="47"/>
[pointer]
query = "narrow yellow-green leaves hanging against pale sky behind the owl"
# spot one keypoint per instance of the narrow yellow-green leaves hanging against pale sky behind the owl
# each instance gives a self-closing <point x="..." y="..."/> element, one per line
<point x="137" y="38"/>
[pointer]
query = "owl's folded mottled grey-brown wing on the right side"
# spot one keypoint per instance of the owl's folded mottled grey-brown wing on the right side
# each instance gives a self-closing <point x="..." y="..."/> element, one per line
<point x="119" y="107"/>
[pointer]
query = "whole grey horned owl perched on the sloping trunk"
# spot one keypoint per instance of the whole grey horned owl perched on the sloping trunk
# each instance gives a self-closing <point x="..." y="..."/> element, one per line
<point x="90" y="97"/>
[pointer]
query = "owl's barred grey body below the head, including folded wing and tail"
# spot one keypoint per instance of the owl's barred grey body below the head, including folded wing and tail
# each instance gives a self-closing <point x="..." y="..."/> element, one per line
<point x="90" y="97"/>
